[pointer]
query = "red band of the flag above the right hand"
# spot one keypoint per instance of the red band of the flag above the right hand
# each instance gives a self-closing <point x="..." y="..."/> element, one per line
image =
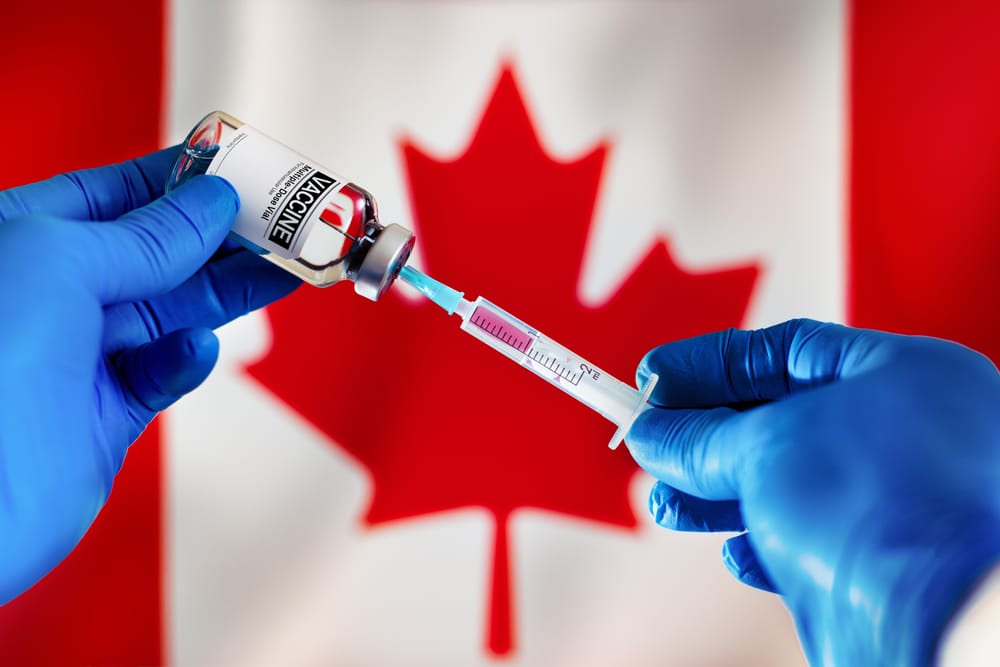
<point x="925" y="169"/>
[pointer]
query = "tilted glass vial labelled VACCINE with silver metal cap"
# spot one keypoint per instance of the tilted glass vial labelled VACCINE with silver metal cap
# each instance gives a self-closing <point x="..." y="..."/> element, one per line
<point x="295" y="212"/>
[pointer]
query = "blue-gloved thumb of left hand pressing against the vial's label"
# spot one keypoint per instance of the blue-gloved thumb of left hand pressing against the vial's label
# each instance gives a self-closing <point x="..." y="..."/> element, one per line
<point x="153" y="249"/>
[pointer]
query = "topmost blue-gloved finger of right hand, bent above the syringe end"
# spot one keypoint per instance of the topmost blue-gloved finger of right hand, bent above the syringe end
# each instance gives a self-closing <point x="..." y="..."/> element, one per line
<point x="736" y="366"/>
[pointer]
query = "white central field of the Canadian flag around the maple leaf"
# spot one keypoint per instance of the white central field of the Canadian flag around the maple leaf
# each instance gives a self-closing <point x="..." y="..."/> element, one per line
<point x="725" y="121"/>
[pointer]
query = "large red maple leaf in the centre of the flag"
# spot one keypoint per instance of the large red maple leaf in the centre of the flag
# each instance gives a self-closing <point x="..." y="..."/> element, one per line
<point x="443" y="422"/>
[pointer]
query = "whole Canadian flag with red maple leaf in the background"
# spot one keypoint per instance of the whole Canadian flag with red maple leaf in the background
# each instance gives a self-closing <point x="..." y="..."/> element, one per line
<point x="360" y="483"/>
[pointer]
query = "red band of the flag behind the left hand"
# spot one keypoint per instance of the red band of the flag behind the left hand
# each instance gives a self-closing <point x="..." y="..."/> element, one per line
<point x="82" y="86"/>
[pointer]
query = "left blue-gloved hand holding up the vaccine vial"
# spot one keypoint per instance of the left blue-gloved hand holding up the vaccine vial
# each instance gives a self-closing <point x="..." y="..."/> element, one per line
<point x="108" y="294"/>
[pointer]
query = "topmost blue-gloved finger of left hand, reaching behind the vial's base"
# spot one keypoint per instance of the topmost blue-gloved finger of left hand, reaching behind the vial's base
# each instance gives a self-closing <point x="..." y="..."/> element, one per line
<point x="104" y="193"/>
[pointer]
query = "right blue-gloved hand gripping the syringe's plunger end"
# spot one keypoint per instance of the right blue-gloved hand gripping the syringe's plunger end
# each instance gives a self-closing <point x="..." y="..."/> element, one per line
<point x="864" y="466"/>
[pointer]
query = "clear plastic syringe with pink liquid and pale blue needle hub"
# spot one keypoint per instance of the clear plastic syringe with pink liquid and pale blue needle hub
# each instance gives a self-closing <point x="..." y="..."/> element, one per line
<point x="599" y="390"/>
